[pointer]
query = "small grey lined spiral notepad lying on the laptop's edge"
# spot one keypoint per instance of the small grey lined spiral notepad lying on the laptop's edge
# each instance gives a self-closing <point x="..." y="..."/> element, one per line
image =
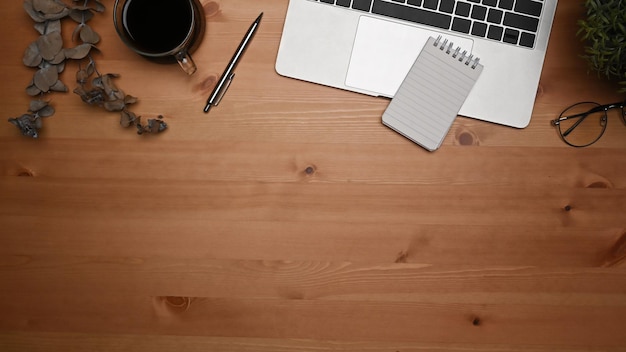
<point x="430" y="97"/>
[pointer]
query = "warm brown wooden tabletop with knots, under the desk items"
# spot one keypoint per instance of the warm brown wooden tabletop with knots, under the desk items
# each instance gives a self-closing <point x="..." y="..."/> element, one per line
<point x="291" y="219"/>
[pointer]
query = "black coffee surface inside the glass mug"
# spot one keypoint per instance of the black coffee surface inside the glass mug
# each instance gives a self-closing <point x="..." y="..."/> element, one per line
<point x="157" y="26"/>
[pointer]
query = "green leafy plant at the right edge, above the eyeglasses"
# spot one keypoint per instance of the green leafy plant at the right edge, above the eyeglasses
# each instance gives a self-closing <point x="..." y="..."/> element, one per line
<point x="604" y="33"/>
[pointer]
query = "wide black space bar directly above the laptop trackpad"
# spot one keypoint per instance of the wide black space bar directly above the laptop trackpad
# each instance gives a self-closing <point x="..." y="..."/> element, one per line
<point x="412" y="14"/>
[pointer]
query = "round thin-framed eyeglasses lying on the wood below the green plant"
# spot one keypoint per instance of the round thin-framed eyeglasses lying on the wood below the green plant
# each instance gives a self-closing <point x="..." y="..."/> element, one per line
<point x="583" y="124"/>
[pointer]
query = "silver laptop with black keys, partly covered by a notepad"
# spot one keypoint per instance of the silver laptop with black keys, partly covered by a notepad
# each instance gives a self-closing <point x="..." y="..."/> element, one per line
<point x="368" y="46"/>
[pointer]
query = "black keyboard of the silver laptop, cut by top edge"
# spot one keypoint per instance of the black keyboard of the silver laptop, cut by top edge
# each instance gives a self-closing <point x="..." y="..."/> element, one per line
<point x="510" y="21"/>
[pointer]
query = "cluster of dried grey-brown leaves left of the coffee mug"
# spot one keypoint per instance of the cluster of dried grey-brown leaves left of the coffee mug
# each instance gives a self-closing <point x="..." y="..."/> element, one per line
<point x="48" y="56"/>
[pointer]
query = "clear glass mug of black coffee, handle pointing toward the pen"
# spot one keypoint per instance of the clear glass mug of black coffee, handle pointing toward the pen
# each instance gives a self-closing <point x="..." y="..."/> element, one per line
<point x="161" y="30"/>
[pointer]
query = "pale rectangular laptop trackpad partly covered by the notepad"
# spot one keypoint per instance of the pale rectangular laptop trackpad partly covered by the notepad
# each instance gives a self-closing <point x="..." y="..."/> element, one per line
<point x="384" y="51"/>
